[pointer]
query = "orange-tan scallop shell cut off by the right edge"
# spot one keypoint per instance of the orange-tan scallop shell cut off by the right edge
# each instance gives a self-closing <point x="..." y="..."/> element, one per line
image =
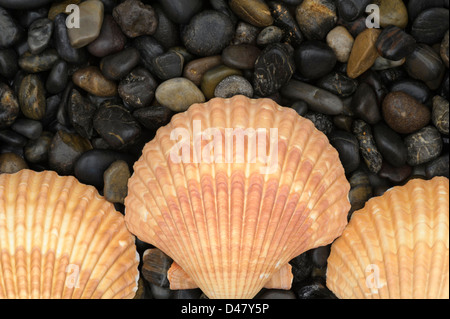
<point x="396" y="246"/>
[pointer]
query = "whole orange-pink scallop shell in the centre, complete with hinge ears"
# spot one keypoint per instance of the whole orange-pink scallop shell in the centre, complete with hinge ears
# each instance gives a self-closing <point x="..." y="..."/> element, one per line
<point x="230" y="219"/>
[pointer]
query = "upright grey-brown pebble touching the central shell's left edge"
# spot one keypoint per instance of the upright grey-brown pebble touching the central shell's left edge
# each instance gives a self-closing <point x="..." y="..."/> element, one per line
<point x="116" y="182"/>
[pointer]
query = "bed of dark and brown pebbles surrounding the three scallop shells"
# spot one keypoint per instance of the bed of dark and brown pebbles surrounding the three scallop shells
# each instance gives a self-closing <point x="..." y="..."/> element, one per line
<point x="84" y="101"/>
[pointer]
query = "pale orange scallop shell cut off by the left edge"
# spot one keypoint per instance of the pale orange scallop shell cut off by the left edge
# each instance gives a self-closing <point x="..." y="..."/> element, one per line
<point x="61" y="239"/>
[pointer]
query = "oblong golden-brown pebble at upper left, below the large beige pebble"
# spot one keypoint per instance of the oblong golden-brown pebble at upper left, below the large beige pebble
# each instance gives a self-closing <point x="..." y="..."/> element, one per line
<point x="93" y="81"/>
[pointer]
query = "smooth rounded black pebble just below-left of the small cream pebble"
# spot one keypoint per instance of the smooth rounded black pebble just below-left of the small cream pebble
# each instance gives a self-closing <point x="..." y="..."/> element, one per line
<point x="314" y="59"/>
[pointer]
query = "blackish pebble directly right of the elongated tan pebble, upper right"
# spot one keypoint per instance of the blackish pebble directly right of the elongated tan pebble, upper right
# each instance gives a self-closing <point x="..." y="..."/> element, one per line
<point x="395" y="44"/>
